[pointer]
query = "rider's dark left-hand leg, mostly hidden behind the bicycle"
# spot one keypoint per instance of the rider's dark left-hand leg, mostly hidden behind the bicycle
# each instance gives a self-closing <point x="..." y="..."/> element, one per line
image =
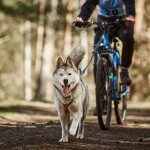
<point x="98" y="34"/>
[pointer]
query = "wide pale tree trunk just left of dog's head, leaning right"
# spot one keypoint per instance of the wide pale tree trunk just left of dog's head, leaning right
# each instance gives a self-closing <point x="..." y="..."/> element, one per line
<point x="48" y="54"/>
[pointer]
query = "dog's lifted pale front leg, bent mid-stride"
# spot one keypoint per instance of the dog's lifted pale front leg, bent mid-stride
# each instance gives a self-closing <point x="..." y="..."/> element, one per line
<point x="75" y="123"/>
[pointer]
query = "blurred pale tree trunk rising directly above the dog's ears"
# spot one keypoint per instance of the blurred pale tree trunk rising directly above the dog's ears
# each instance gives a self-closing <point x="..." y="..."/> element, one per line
<point x="68" y="31"/>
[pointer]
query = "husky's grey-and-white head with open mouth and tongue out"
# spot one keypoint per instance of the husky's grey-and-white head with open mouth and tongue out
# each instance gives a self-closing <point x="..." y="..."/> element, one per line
<point x="66" y="75"/>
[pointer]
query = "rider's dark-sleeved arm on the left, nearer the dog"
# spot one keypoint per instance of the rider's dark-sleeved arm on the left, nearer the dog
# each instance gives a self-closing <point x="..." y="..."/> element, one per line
<point x="87" y="9"/>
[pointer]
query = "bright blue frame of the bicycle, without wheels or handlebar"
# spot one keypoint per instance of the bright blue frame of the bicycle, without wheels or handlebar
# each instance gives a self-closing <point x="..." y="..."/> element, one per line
<point x="113" y="56"/>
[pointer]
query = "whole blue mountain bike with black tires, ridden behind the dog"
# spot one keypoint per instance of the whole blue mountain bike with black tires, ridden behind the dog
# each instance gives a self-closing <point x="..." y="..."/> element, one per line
<point x="108" y="85"/>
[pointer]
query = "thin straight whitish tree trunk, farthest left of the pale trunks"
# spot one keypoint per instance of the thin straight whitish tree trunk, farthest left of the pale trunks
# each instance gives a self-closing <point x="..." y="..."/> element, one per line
<point x="28" y="84"/>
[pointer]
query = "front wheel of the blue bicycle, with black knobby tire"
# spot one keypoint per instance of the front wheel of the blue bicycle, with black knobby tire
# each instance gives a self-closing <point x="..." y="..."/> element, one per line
<point x="103" y="85"/>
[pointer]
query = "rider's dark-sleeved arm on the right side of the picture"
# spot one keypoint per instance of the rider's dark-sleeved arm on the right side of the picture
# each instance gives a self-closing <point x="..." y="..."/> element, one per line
<point x="130" y="7"/>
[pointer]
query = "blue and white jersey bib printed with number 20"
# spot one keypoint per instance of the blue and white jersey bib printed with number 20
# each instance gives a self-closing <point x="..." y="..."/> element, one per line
<point x="110" y="8"/>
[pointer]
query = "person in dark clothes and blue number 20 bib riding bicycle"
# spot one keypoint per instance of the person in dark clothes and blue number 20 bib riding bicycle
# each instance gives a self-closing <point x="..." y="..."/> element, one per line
<point x="110" y="10"/>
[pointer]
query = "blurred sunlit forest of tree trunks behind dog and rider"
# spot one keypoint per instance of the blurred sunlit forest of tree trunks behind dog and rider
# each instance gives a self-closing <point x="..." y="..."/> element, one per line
<point x="33" y="33"/>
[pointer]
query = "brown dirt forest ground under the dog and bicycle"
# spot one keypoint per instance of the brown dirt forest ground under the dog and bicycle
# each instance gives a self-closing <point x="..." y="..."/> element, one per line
<point x="35" y="126"/>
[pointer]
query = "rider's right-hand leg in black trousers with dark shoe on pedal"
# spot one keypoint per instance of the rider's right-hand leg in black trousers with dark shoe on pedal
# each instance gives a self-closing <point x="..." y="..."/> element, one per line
<point x="126" y="35"/>
